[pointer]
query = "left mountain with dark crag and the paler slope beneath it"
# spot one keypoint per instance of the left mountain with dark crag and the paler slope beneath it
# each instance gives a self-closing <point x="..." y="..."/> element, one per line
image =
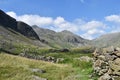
<point x="17" y="31"/>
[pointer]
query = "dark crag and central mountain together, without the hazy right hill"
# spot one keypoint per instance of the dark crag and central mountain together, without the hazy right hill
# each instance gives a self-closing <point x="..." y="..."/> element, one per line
<point x="39" y="36"/>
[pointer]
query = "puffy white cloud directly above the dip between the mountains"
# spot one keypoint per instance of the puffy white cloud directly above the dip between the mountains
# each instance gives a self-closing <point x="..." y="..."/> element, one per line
<point x="93" y="29"/>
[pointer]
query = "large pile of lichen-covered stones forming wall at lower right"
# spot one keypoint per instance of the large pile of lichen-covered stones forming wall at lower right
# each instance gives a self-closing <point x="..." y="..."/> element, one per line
<point x="107" y="64"/>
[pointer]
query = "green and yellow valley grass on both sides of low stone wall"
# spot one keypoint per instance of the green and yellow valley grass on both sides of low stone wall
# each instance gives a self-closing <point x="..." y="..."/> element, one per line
<point x="18" y="68"/>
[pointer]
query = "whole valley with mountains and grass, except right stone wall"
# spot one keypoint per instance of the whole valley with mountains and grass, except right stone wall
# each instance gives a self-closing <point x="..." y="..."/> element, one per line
<point x="34" y="53"/>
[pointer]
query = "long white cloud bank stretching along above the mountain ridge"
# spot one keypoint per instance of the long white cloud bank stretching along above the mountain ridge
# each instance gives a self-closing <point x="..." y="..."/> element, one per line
<point x="85" y="29"/>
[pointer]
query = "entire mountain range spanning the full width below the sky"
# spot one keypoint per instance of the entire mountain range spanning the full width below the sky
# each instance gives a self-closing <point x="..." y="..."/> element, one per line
<point x="17" y="31"/>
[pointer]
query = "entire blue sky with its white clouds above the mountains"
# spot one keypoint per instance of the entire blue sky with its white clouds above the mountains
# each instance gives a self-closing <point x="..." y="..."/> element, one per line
<point x="87" y="18"/>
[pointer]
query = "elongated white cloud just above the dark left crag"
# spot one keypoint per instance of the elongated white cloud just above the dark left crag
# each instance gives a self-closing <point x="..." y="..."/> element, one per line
<point x="32" y="19"/>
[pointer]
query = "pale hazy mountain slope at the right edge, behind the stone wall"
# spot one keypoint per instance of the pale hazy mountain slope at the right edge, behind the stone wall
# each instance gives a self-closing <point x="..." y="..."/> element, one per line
<point x="111" y="39"/>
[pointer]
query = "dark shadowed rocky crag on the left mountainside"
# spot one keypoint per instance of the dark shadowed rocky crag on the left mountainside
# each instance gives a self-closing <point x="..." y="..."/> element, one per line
<point x="11" y="24"/>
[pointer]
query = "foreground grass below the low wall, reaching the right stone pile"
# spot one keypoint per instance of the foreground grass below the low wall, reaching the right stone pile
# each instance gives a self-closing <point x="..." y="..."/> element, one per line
<point x="19" y="68"/>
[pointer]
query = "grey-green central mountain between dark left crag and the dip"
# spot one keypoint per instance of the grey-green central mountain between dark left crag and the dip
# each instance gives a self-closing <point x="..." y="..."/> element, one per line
<point x="64" y="39"/>
